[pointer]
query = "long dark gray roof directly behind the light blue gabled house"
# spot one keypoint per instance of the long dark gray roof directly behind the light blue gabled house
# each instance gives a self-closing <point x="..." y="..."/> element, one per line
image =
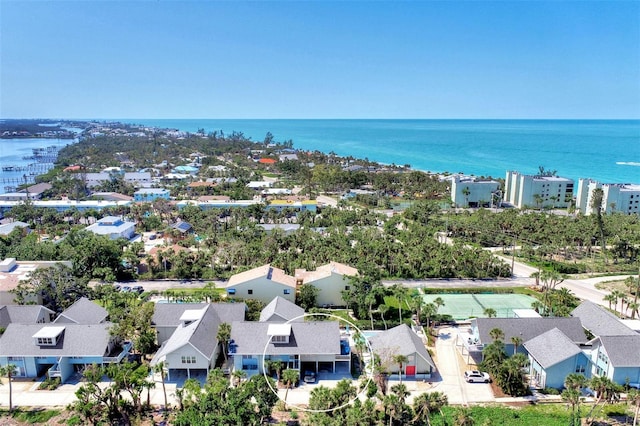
<point x="528" y="328"/>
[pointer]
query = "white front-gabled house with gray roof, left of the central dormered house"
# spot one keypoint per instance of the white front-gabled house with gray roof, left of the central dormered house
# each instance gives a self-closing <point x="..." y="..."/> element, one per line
<point x="187" y="334"/>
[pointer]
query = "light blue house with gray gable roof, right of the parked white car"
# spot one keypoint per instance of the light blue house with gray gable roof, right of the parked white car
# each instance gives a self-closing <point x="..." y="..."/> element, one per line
<point x="552" y="356"/>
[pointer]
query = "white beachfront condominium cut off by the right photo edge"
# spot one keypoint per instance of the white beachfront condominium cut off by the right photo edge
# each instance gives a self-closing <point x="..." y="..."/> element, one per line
<point x="616" y="197"/>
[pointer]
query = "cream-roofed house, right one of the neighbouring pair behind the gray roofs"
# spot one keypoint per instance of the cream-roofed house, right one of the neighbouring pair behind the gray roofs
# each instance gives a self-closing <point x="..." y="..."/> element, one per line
<point x="330" y="280"/>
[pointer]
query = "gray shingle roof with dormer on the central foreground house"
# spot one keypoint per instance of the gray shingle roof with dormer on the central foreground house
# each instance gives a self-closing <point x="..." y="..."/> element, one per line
<point x="307" y="338"/>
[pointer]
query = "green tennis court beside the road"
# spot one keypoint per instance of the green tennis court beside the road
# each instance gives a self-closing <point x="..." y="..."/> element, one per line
<point x="463" y="306"/>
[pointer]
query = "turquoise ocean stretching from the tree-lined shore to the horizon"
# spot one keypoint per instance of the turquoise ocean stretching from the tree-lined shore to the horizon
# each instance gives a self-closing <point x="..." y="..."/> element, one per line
<point x="605" y="150"/>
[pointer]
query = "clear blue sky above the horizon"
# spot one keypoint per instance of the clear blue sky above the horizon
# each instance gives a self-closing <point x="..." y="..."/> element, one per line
<point x="319" y="59"/>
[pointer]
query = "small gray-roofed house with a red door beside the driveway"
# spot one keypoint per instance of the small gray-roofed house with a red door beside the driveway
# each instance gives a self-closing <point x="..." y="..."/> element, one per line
<point x="402" y="340"/>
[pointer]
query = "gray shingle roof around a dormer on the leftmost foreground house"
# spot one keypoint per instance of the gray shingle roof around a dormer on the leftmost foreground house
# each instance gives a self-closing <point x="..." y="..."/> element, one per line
<point x="77" y="340"/>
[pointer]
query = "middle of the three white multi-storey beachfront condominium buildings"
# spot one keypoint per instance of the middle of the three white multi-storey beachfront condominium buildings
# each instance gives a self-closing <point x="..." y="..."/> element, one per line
<point x="539" y="191"/>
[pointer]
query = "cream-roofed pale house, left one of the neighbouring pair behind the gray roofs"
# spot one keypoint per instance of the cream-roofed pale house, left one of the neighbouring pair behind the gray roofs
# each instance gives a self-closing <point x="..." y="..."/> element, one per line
<point x="262" y="283"/>
